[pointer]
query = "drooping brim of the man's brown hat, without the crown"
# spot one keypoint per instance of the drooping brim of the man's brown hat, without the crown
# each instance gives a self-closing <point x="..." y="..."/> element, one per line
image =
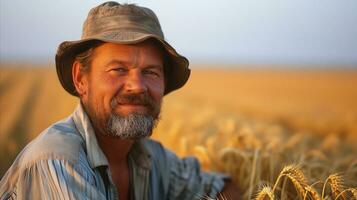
<point x="177" y="73"/>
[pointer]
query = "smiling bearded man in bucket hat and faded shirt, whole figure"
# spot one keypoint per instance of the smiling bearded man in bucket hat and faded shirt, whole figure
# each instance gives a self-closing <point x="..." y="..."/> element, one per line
<point x="120" y="70"/>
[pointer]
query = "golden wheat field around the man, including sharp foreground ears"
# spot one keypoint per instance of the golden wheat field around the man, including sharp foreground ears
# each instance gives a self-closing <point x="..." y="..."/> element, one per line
<point x="280" y="134"/>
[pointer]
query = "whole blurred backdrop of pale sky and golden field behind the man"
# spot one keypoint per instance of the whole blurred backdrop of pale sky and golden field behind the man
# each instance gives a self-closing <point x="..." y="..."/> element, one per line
<point x="265" y="75"/>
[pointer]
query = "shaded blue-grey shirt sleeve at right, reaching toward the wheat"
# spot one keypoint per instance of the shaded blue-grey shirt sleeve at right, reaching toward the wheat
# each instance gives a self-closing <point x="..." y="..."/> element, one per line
<point x="187" y="181"/>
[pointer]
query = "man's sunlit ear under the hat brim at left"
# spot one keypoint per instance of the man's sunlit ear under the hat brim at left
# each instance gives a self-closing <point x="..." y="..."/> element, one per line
<point x="79" y="78"/>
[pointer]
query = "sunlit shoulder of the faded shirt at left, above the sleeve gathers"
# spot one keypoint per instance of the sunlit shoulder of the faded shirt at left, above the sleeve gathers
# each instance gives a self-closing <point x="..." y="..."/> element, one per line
<point x="61" y="141"/>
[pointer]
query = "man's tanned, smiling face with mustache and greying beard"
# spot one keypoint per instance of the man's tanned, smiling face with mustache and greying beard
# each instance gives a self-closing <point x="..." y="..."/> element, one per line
<point x="124" y="89"/>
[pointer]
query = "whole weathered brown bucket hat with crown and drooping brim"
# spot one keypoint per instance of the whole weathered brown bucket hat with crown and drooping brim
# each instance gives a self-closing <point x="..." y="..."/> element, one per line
<point x="120" y="24"/>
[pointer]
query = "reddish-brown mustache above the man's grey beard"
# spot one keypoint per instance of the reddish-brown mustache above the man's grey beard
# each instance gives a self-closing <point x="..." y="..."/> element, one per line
<point x="143" y="99"/>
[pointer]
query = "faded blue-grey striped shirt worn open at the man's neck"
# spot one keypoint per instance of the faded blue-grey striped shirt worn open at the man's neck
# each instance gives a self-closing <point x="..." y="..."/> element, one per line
<point x="66" y="162"/>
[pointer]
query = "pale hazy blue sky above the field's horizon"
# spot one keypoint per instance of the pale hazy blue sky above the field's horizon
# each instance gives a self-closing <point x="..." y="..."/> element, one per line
<point x="298" y="32"/>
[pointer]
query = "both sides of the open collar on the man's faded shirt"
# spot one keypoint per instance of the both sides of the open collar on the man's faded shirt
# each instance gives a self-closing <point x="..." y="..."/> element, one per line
<point x="138" y="152"/>
